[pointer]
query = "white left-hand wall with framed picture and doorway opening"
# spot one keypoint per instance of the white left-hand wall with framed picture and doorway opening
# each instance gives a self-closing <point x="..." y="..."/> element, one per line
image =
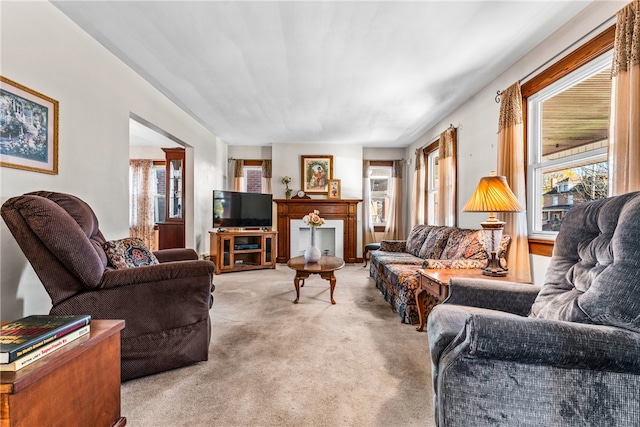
<point x="43" y="50"/>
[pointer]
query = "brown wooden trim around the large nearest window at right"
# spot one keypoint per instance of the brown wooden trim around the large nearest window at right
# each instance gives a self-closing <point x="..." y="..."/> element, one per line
<point x="589" y="51"/>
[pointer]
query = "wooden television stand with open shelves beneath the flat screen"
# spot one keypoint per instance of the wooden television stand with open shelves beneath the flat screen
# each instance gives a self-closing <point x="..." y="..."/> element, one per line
<point x="243" y="250"/>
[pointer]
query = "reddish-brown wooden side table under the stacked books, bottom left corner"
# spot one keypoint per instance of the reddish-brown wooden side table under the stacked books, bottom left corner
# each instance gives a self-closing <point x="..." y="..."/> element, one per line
<point x="77" y="385"/>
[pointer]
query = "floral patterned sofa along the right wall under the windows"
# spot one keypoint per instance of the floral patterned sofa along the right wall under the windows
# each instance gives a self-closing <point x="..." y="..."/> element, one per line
<point x="394" y="267"/>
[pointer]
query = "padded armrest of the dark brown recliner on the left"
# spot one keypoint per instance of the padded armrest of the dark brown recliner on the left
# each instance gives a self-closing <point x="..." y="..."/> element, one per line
<point x="158" y="272"/>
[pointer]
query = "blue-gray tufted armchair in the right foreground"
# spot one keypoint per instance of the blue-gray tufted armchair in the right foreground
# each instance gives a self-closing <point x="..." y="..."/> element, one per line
<point x="566" y="353"/>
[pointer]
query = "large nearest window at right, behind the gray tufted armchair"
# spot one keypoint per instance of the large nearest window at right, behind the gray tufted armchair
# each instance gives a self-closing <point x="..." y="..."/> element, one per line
<point x="567" y="134"/>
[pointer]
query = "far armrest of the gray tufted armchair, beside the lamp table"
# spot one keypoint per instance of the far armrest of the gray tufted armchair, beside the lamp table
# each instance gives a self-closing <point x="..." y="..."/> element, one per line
<point x="510" y="297"/>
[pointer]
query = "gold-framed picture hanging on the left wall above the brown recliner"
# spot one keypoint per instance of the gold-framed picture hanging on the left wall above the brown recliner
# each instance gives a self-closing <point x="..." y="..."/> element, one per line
<point x="28" y="129"/>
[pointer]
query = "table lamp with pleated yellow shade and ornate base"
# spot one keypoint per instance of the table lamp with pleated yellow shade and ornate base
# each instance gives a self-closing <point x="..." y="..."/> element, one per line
<point x="493" y="195"/>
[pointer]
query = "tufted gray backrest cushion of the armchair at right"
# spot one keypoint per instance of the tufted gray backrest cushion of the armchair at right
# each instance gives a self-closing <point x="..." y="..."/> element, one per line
<point x="594" y="273"/>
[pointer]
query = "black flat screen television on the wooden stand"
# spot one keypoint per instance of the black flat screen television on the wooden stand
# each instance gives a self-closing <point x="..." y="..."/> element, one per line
<point x="233" y="209"/>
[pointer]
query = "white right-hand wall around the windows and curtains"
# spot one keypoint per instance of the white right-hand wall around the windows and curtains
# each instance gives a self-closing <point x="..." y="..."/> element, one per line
<point x="477" y="119"/>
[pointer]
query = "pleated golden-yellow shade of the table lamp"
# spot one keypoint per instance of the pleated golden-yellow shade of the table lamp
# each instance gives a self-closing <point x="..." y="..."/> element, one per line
<point x="493" y="195"/>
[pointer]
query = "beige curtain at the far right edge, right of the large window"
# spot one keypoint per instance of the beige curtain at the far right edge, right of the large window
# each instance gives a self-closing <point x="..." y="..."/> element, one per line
<point x="624" y="132"/>
